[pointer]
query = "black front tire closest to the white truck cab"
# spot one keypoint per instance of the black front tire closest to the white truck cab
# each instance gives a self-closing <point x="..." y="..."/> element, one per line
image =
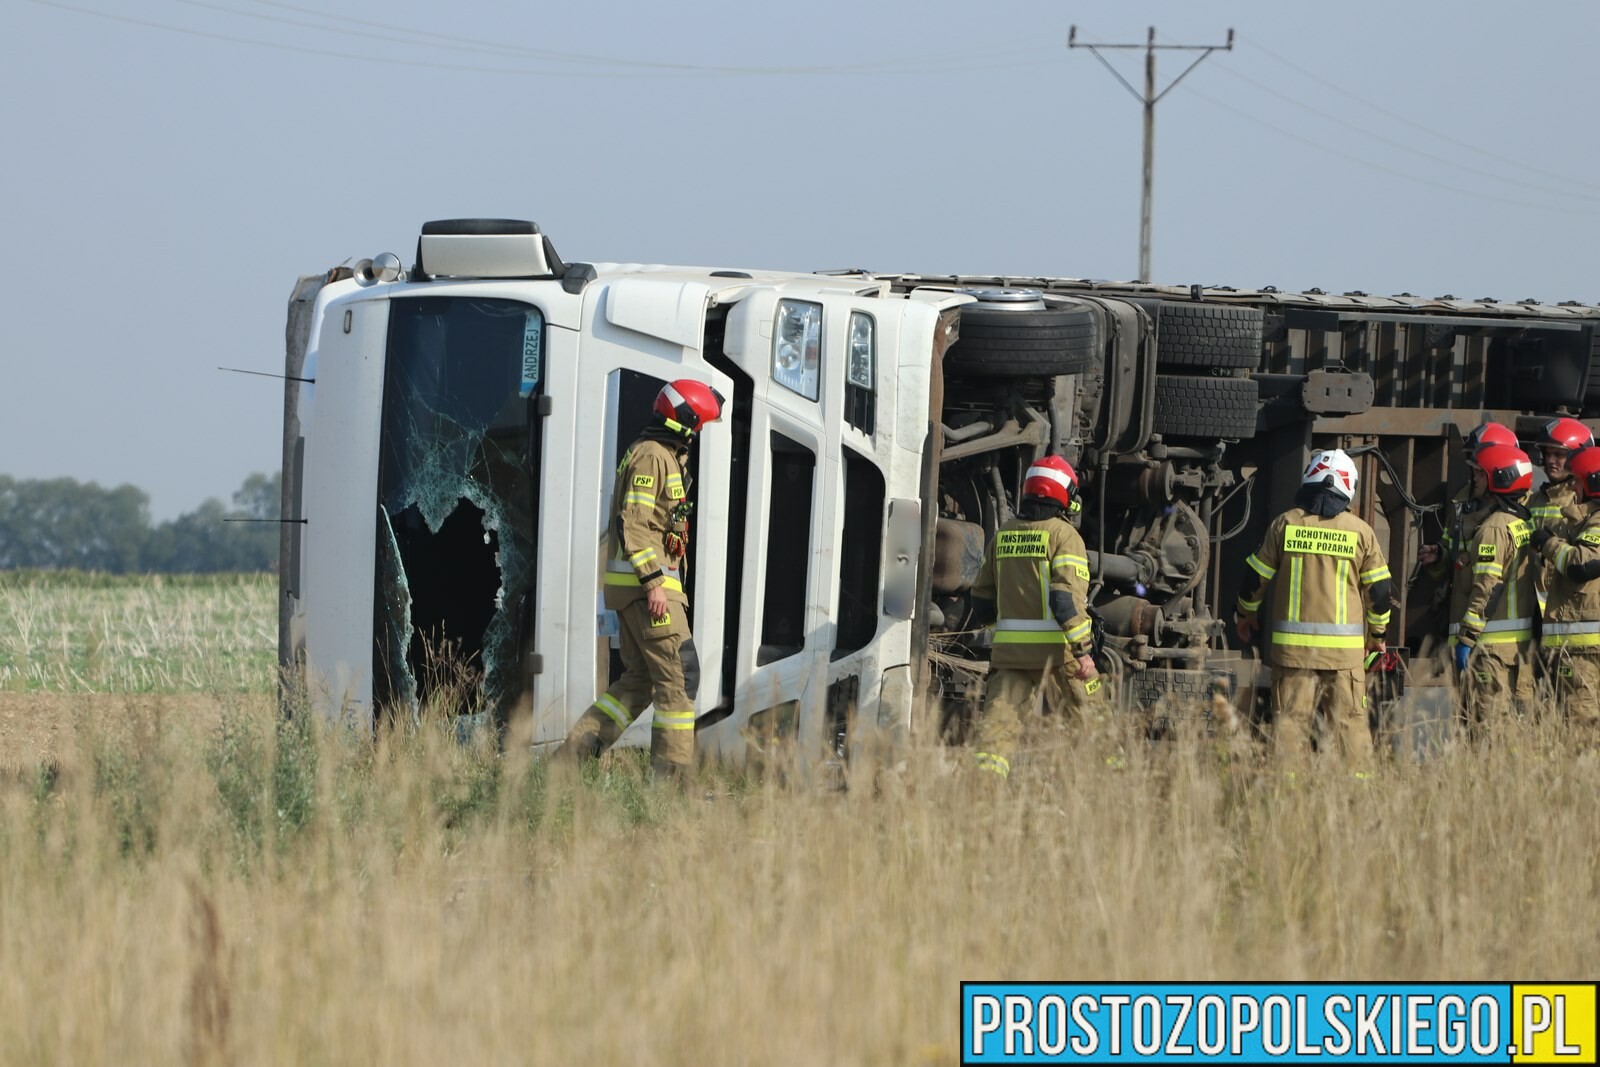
<point x="1025" y="345"/>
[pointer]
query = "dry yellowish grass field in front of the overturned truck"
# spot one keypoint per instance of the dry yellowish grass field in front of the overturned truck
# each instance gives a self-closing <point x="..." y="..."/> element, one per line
<point x="186" y="879"/>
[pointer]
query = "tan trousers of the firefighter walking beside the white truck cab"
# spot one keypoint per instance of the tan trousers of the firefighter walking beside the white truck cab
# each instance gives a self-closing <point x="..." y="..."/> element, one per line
<point x="660" y="666"/>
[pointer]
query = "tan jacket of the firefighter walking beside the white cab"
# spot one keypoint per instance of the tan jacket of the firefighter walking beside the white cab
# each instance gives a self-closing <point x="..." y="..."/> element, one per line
<point x="649" y="503"/>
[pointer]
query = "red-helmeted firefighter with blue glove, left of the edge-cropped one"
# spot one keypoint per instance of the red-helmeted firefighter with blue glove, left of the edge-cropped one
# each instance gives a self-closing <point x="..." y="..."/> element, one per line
<point x="1495" y="633"/>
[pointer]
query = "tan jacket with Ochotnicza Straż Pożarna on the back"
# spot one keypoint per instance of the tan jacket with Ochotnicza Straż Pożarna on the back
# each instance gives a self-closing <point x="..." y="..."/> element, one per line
<point x="1324" y="573"/>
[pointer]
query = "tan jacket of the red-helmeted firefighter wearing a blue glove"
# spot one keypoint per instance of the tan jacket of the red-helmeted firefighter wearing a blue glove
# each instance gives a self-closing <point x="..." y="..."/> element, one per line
<point x="1502" y="601"/>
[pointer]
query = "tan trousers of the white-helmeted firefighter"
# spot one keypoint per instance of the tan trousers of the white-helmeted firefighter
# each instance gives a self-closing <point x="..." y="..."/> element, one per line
<point x="1322" y="709"/>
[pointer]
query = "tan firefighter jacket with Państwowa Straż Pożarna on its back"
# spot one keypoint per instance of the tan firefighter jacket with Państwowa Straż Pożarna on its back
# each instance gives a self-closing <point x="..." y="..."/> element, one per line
<point x="1038" y="573"/>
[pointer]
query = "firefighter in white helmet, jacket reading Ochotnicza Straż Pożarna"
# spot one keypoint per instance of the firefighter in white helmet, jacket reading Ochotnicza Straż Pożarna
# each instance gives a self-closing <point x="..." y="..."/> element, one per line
<point x="1330" y="602"/>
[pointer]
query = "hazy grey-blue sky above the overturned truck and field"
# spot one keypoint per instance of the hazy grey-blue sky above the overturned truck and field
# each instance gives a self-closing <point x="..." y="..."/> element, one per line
<point x="172" y="166"/>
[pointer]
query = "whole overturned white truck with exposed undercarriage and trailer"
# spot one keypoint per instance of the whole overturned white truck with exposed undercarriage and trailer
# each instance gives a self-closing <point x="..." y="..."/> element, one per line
<point x="450" y="434"/>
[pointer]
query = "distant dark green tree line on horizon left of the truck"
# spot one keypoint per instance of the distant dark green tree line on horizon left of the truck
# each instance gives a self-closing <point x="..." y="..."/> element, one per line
<point x="58" y="524"/>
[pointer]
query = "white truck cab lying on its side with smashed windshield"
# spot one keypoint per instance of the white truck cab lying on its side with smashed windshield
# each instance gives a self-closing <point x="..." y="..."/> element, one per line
<point x="450" y="455"/>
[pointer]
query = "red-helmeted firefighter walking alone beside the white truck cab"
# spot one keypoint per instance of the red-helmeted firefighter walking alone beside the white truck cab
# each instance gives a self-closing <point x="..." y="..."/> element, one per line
<point x="644" y="585"/>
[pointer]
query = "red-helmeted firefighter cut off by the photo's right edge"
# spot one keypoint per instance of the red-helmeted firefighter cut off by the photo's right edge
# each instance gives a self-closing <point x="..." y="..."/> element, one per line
<point x="1570" y="639"/>
